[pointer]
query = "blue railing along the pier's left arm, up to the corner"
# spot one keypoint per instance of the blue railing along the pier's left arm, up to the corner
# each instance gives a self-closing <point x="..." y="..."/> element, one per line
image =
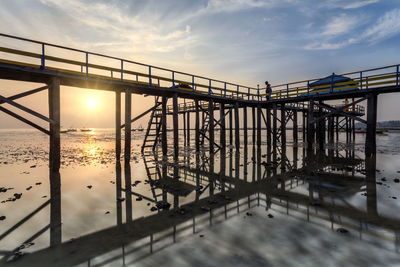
<point x="36" y="54"/>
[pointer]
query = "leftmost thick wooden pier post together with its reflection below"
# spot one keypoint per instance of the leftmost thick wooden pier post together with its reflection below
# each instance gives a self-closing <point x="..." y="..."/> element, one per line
<point x="54" y="164"/>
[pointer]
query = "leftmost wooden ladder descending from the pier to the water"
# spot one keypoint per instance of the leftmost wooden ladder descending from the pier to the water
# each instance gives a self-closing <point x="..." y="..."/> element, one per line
<point x="153" y="132"/>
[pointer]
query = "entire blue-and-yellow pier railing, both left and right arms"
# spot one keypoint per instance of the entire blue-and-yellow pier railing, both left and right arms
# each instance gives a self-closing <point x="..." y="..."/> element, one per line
<point x="31" y="53"/>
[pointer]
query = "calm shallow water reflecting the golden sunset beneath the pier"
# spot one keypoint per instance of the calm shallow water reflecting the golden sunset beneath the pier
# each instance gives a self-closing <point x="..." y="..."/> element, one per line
<point x="112" y="212"/>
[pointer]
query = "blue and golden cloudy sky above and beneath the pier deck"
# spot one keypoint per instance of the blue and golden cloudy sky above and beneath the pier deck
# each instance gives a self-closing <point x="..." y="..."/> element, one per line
<point x="241" y="41"/>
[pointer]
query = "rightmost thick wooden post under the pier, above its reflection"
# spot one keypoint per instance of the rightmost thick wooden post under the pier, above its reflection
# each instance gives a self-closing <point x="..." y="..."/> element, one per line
<point x="370" y="140"/>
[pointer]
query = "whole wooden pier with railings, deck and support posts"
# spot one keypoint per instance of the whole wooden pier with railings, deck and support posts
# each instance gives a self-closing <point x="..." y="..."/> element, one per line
<point x="196" y="103"/>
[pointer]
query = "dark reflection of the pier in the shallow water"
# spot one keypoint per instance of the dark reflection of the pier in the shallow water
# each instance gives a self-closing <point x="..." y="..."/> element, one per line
<point x="217" y="197"/>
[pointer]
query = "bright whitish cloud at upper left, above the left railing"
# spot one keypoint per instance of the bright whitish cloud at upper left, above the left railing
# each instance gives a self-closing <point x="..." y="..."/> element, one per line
<point x="126" y="30"/>
